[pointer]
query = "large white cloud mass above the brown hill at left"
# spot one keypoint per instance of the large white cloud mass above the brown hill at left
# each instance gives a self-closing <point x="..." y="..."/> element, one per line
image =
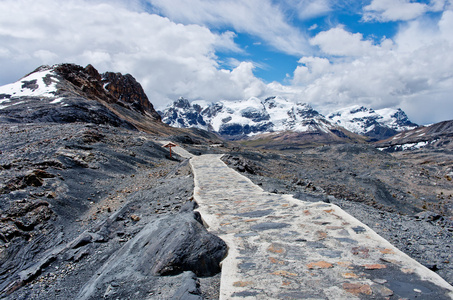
<point x="169" y="59"/>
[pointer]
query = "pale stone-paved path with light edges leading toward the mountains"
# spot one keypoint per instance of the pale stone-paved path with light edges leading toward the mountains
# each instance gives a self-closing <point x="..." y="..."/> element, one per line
<point x="284" y="248"/>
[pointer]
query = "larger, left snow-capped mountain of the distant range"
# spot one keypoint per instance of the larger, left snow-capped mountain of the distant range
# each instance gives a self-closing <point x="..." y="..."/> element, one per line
<point x="246" y="118"/>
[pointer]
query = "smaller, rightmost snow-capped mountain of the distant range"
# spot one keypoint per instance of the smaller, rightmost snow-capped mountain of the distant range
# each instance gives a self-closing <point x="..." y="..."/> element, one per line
<point x="376" y="124"/>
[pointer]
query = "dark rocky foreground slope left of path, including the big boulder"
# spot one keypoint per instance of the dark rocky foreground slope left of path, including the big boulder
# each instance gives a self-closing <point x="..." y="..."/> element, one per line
<point x="81" y="199"/>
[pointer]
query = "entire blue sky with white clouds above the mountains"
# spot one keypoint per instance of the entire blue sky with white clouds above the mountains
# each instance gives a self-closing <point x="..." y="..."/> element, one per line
<point x="329" y="53"/>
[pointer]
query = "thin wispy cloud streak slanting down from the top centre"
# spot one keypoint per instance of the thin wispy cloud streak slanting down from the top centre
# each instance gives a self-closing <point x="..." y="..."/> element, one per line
<point x="261" y="18"/>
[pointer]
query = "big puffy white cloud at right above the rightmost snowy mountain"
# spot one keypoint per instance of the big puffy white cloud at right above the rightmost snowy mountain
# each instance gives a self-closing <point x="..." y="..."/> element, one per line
<point x="414" y="71"/>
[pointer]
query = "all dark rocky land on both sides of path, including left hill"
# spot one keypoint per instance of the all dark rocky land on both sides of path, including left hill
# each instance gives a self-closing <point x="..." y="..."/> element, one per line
<point x="92" y="206"/>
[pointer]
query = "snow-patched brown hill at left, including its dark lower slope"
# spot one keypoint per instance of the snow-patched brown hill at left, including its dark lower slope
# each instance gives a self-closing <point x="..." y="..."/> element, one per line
<point x="71" y="93"/>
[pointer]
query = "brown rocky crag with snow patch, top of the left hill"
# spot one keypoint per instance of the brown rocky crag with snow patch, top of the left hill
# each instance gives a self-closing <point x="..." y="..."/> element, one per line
<point x="56" y="84"/>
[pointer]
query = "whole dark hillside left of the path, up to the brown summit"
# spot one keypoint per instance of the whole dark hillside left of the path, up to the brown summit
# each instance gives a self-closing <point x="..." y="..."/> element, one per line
<point x="83" y="181"/>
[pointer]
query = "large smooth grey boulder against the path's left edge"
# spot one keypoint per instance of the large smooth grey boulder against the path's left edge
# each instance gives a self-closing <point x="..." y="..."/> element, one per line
<point x="169" y="245"/>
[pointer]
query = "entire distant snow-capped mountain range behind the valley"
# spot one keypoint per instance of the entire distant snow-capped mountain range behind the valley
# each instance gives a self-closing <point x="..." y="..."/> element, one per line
<point x="248" y="118"/>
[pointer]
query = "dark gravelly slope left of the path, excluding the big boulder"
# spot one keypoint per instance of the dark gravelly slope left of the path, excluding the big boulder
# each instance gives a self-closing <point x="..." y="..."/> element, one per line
<point x="72" y="195"/>
